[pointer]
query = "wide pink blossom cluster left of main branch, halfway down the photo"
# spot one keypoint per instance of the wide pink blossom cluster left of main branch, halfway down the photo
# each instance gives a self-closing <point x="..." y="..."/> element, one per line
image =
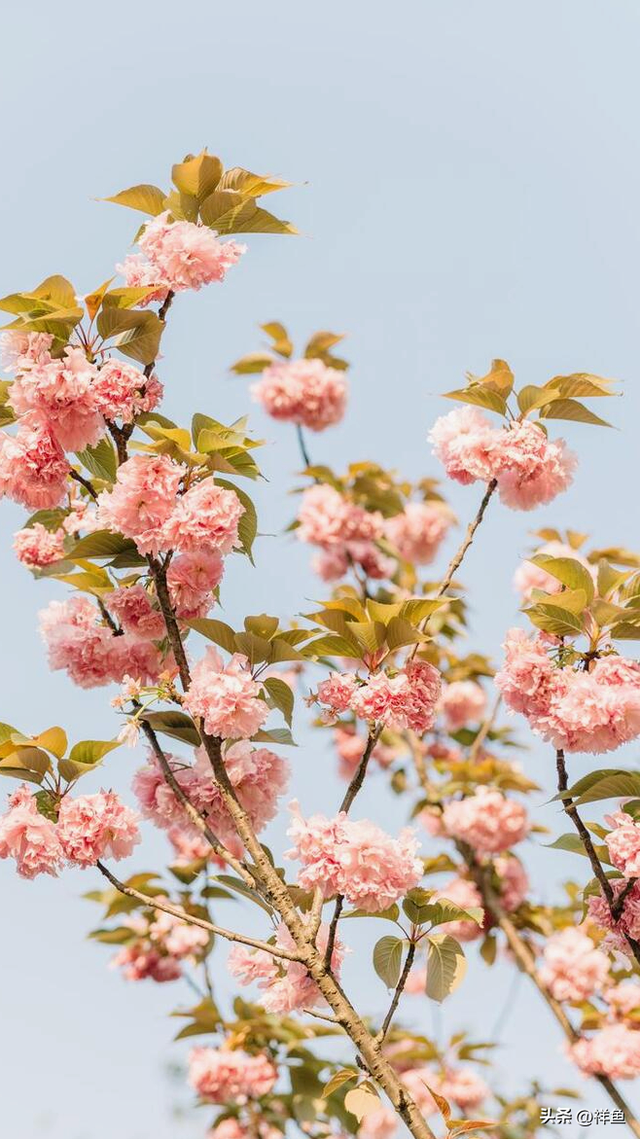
<point x="88" y="650"/>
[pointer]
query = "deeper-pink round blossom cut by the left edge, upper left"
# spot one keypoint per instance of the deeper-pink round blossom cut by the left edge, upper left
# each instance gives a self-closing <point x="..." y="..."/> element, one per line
<point x="34" y="470"/>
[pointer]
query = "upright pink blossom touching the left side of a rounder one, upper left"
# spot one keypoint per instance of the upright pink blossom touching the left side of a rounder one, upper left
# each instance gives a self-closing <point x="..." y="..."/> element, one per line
<point x="143" y="501"/>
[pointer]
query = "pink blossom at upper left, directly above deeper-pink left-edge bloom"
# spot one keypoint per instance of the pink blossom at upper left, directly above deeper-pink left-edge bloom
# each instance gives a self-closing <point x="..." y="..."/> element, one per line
<point x="61" y="394"/>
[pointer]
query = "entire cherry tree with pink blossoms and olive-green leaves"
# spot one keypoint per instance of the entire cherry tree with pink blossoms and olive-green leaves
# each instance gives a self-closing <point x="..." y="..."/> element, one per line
<point x="144" y="520"/>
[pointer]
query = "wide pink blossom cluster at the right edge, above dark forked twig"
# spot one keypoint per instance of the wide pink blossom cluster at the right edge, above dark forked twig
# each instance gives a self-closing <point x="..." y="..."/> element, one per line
<point x="578" y="711"/>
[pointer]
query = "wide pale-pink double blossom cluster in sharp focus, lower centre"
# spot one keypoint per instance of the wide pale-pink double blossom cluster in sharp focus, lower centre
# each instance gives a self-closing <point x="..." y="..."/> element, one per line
<point x="355" y="859"/>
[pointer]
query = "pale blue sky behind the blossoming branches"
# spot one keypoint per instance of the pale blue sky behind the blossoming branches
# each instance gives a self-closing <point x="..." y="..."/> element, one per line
<point x="467" y="181"/>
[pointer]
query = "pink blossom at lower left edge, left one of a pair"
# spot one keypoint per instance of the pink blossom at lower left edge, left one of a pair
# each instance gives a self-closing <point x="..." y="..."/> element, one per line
<point x="30" y="838"/>
